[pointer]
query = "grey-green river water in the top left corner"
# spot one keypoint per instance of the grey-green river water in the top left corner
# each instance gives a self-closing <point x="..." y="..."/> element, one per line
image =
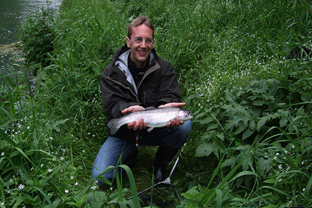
<point x="14" y="12"/>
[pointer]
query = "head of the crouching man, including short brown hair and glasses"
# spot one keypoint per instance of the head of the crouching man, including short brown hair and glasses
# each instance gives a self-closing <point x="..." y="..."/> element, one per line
<point x="140" y="40"/>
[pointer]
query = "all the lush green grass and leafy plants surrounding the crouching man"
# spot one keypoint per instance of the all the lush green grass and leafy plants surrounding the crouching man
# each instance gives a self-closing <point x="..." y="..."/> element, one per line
<point x="252" y="133"/>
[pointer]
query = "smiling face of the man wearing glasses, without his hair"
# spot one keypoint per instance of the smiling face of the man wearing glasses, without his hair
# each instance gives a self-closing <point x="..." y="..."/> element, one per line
<point x="140" y="44"/>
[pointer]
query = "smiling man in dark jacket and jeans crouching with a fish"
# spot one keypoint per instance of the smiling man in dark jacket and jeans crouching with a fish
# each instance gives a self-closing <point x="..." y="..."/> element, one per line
<point x="137" y="79"/>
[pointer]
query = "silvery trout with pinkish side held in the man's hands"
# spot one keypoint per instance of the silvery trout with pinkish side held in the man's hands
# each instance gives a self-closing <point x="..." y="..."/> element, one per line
<point x="155" y="118"/>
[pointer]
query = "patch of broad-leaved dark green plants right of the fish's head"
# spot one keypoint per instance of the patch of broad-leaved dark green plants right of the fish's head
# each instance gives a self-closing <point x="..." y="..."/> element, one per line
<point x="245" y="123"/>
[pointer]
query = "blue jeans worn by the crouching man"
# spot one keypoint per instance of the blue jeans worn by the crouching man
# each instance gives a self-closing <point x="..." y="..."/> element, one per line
<point x="114" y="148"/>
